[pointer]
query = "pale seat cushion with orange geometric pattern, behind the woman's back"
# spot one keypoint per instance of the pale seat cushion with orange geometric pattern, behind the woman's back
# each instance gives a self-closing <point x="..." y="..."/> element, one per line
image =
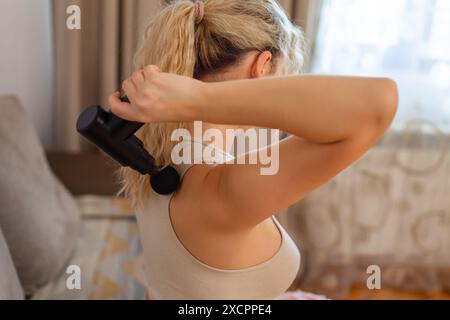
<point x="108" y="254"/>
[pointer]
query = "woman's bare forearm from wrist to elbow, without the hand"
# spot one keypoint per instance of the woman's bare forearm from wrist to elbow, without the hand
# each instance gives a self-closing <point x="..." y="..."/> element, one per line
<point x="320" y="109"/>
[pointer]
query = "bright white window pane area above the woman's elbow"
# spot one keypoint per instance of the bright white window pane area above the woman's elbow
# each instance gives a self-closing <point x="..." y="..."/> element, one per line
<point x="407" y="40"/>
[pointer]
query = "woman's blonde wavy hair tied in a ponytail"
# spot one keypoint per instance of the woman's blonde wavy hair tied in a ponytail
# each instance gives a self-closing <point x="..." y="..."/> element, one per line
<point x="178" y="42"/>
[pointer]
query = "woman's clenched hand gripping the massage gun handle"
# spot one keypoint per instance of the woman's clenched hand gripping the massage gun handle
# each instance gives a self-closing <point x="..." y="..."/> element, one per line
<point x="157" y="97"/>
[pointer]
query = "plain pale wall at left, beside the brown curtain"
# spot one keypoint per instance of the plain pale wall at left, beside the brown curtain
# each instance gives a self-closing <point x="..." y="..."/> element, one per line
<point x="26" y="59"/>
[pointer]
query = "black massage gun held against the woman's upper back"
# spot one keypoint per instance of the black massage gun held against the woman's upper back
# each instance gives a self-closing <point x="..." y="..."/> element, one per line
<point x="115" y="137"/>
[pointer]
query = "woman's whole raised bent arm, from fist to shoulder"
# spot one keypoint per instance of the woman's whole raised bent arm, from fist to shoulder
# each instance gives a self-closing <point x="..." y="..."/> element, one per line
<point x="334" y="120"/>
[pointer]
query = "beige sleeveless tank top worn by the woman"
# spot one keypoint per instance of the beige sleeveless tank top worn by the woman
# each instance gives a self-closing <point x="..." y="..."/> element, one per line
<point x="173" y="273"/>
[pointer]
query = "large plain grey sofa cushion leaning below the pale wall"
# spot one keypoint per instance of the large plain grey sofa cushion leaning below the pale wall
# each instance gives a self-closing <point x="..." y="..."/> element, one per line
<point x="39" y="218"/>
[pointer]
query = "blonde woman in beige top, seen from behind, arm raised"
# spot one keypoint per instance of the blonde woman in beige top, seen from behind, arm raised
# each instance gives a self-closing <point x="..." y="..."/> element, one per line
<point x="232" y="64"/>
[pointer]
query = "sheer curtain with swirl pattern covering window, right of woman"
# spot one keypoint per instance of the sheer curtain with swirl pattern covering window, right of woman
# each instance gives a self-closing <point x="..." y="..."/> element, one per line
<point x="392" y="208"/>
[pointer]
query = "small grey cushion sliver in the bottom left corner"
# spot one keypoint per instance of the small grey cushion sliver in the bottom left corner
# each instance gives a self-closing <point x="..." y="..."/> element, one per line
<point x="10" y="288"/>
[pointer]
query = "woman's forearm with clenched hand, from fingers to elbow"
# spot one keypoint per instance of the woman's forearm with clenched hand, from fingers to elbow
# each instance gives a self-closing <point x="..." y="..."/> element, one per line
<point x="320" y="109"/>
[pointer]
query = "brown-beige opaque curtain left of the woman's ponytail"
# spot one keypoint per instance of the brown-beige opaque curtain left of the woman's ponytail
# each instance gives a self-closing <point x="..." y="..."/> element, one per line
<point x="91" y="62"/>
